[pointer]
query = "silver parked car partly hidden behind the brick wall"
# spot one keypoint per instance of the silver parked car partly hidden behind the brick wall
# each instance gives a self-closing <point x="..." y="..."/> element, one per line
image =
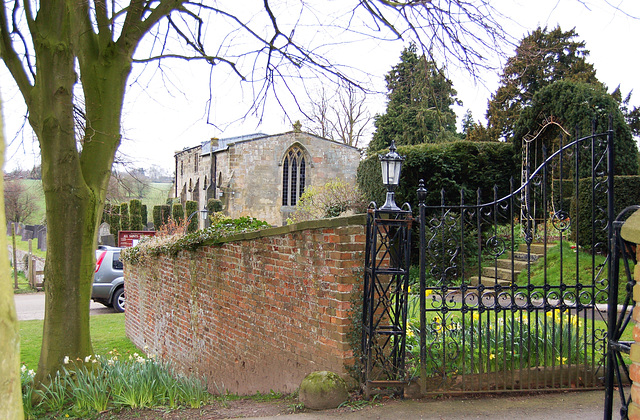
<point x="108" y="280"/>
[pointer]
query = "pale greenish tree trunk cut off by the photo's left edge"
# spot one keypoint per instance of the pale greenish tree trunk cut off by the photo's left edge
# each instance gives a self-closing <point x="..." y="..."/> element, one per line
<point x="10" y="386"/>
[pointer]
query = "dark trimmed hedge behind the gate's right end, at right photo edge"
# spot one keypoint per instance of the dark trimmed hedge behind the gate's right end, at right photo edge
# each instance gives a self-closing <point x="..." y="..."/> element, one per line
<point x="627" y="193"/>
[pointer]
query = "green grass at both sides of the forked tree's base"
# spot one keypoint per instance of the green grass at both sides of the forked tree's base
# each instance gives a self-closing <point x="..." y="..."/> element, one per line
<point x="107" y="334"/>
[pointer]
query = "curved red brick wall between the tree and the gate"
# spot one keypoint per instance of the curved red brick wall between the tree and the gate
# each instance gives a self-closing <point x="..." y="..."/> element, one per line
<point x="257" y="313"/>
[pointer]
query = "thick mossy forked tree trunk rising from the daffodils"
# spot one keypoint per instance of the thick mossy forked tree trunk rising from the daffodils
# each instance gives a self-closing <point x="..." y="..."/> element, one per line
<point x="74" y="181"/>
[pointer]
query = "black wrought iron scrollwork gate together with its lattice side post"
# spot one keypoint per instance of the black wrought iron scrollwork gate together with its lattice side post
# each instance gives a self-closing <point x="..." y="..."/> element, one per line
<point x="512" y="288"/>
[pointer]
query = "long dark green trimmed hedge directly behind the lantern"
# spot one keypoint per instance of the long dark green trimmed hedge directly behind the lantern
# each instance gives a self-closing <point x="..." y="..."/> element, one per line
<point x="445" y="166"/>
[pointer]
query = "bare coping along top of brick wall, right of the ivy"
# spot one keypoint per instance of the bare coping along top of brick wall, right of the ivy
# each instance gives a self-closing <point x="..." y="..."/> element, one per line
<point x="358" y="219"/>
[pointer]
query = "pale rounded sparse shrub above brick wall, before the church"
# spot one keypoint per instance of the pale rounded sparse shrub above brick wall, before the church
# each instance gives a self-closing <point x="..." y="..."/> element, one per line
<point x="332" y="199"/>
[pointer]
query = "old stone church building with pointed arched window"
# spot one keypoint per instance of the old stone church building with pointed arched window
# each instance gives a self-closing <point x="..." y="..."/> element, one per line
<point x="261" y="175"/>
